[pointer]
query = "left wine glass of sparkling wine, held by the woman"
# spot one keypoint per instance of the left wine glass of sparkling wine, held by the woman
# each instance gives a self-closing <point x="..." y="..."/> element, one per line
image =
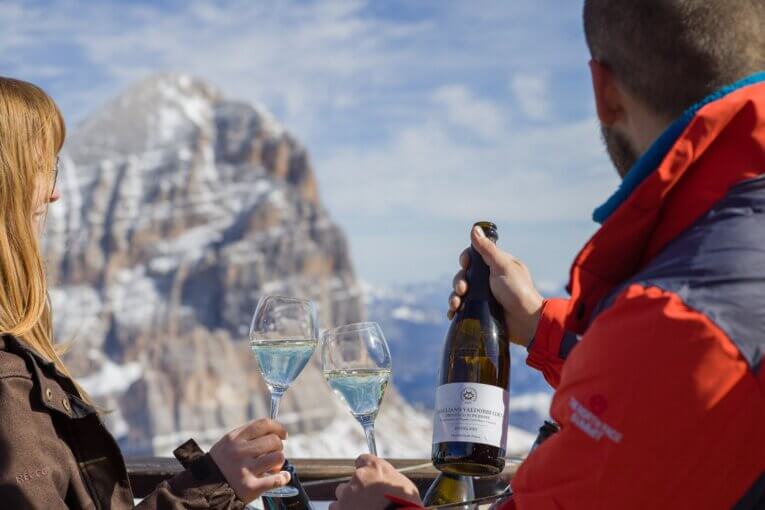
<point x="283" y="336"/>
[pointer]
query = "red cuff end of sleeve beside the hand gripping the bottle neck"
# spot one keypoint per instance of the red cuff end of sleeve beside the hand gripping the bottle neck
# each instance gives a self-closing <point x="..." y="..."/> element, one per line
<point x="551" y="343"/>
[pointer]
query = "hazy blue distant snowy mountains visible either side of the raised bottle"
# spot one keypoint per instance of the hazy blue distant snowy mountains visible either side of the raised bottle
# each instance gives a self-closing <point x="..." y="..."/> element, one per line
<point x="415" y="324"/>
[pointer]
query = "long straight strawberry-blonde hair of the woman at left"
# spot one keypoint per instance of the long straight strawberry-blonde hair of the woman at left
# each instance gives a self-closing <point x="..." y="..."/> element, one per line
<point x="32" y="132"/>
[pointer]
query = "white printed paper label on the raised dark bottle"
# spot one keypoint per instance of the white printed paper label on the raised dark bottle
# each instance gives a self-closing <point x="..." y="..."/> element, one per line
<point x="471" y="413"/>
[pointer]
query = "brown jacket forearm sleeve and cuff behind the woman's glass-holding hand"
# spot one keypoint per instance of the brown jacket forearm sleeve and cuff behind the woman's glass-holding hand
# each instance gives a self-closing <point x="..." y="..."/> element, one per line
<point x="200" y="486"/>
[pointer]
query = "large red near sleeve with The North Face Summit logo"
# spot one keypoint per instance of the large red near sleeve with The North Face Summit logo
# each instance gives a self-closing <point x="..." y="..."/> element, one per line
<point x="658" y="409"/>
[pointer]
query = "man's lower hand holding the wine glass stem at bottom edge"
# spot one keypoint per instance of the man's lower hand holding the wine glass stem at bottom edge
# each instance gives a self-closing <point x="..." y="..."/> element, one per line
<point x="374" y="478"/>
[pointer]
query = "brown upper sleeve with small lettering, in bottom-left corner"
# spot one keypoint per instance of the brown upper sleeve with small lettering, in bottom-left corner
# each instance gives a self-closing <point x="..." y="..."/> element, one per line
<point x="35" y="467"/>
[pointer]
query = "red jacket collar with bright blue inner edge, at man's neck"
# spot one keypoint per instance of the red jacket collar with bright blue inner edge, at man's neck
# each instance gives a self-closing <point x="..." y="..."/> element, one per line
<point x="722" y="144"/>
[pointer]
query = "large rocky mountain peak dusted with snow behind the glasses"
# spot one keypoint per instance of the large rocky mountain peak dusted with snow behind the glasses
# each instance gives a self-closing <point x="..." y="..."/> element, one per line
<point x="180" y="209"/>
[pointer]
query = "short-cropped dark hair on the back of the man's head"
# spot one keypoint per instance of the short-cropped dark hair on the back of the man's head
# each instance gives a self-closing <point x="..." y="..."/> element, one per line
<point x="672" y="53"/>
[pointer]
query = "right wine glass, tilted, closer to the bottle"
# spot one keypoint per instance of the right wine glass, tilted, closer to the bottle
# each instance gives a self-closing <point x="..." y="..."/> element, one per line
<point x="356" y="363"/>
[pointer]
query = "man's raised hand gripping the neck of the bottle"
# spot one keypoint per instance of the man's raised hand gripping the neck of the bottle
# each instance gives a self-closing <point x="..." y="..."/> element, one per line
<point x="511" y="285"/>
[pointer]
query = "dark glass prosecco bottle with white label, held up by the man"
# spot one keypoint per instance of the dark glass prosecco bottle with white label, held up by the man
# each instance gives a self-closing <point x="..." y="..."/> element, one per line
<point x="470" y="422"/>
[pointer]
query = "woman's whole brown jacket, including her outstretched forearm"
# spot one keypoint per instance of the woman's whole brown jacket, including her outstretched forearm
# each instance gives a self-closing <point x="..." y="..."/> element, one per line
<point x="55" y="453"/>
